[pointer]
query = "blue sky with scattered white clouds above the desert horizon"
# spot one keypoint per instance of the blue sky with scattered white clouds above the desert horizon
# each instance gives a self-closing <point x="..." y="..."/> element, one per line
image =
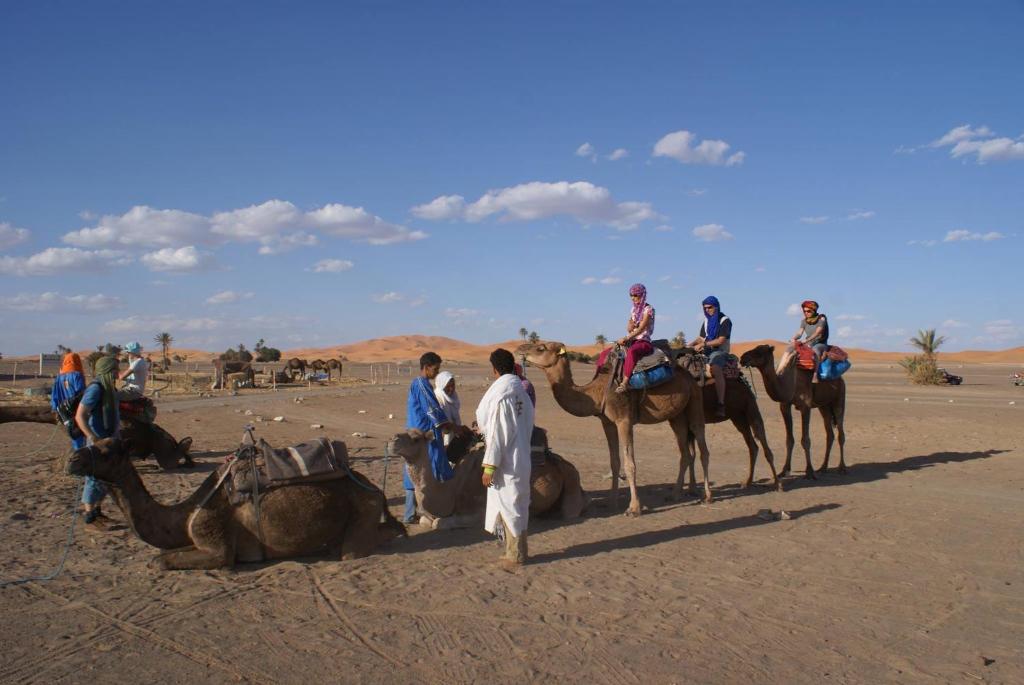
<point x="316" y="175"/>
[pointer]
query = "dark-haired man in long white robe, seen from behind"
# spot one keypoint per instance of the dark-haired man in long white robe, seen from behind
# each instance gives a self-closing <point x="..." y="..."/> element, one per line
<point x="505" y="418"/>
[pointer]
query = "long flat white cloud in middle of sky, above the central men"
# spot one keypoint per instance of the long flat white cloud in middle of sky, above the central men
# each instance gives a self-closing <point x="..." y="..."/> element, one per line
<point x="584" y="202"/>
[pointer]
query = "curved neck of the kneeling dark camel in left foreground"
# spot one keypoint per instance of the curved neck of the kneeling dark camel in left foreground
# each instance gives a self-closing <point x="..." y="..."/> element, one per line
<point x="164" y="527"/>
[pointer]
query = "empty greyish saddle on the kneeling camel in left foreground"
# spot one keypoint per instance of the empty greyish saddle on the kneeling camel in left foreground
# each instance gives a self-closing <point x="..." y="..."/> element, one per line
<point x="261" y="467"/>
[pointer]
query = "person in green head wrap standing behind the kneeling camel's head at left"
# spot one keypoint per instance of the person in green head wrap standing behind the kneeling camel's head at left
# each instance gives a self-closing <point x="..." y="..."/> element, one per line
<point x="98" y="418"/>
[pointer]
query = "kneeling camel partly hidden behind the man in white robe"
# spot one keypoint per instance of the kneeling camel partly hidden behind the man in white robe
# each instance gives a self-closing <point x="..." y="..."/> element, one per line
<point x="554" y="488"/>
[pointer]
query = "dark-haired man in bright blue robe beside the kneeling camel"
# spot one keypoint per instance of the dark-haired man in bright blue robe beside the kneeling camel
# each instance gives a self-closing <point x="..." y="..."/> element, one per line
<point x="423" y="412"/>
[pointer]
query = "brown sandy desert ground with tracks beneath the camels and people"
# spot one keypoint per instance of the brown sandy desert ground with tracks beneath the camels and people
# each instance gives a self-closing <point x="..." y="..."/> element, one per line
<point x="907" y="570"/>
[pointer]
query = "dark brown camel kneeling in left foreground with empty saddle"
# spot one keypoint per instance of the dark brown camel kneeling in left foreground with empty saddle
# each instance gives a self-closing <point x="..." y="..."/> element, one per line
<point x="340" y="517"/>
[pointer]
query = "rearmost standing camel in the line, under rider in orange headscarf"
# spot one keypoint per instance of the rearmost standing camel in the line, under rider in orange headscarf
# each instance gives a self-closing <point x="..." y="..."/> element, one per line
<point x="791" y="387"/>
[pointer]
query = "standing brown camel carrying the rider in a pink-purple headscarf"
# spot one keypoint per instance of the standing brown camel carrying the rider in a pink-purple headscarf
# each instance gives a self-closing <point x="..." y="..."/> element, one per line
<point x="676" y="402"/>
